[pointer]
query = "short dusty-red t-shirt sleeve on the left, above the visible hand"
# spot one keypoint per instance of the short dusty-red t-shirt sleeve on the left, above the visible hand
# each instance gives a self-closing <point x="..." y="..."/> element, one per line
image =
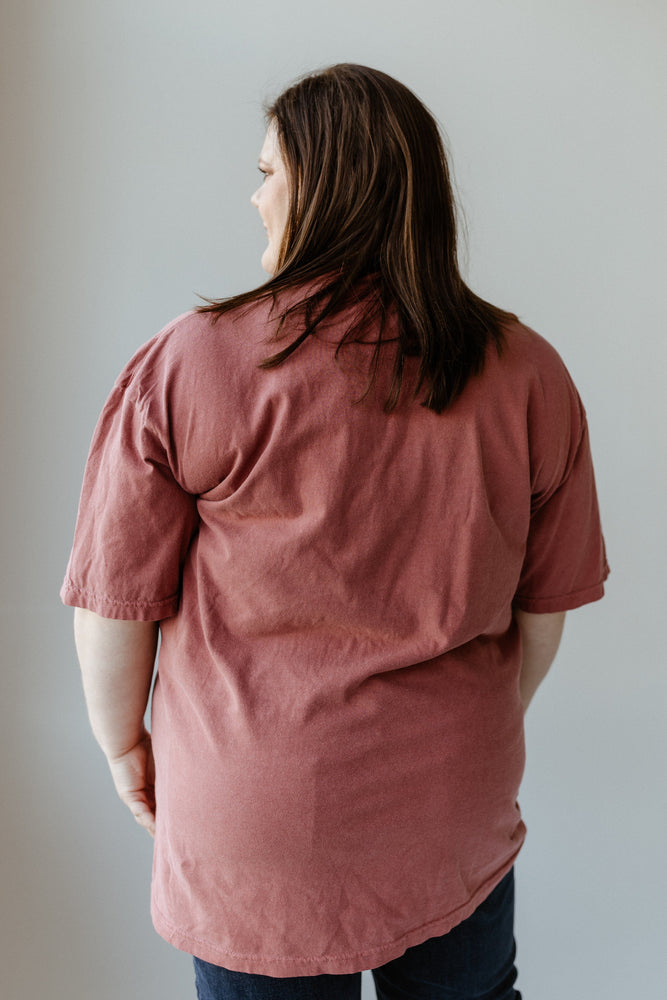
<point x="135" y="522"/>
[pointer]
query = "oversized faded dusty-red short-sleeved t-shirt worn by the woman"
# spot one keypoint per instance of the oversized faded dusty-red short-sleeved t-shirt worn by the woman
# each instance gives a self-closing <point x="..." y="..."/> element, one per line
<point x="336" y="721"/>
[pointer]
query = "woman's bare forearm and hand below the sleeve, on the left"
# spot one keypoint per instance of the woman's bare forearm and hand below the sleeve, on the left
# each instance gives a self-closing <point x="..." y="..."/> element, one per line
<point x="117" y="660"/>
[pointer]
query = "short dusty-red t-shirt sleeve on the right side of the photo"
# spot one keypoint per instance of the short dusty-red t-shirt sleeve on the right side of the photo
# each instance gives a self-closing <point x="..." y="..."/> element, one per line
<point x="565" y="562"/>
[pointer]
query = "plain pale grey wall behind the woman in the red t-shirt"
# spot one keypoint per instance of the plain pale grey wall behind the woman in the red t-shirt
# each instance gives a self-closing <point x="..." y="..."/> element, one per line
<point x="130" y="133"/>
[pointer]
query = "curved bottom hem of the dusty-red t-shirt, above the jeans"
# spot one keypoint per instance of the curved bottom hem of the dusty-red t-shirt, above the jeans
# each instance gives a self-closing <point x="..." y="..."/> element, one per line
<point x="341" y="964"/>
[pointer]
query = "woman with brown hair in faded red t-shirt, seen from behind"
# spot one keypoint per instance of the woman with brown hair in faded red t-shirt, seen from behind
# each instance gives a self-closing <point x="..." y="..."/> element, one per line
<point x="359" y="501"/>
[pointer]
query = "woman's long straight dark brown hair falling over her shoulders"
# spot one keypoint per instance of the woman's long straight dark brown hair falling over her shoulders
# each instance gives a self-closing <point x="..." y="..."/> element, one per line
<point x="371" y="198"/>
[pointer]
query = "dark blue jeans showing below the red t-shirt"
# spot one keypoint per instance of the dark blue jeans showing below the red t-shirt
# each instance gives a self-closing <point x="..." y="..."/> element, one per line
<point x="474" y="961"/>
